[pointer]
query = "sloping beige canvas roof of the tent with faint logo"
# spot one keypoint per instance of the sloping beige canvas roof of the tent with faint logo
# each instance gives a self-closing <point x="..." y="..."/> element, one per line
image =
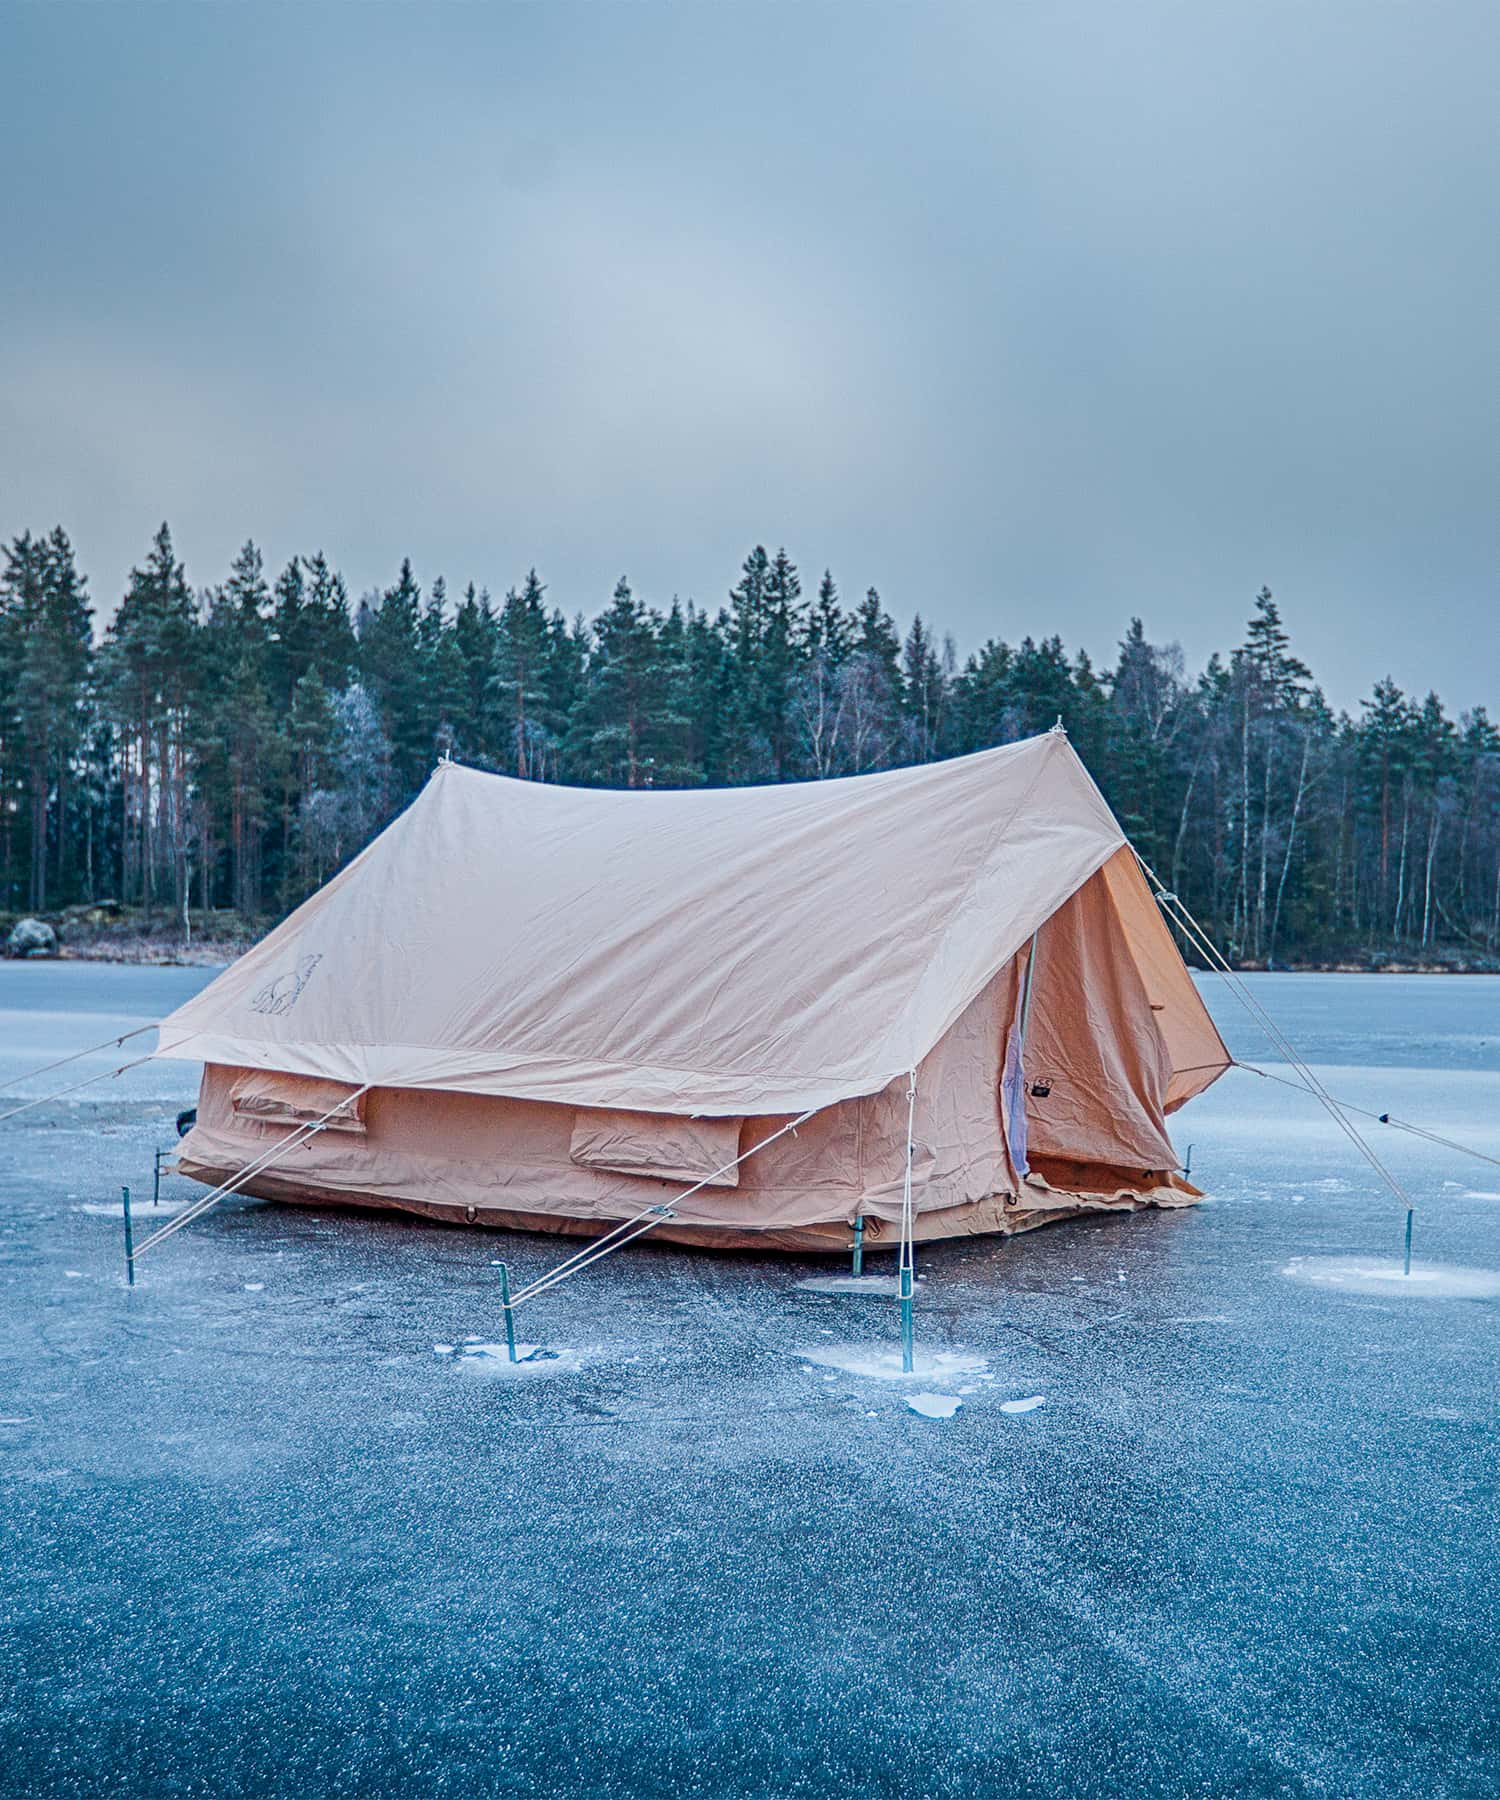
<point x="727" y="951"/>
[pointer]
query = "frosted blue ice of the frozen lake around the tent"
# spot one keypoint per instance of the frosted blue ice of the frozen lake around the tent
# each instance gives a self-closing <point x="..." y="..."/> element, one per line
<point x="1216" y="1513"/>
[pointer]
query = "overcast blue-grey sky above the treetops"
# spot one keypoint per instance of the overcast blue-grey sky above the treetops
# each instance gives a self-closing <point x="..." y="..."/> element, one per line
<point x="1033" y="316"/>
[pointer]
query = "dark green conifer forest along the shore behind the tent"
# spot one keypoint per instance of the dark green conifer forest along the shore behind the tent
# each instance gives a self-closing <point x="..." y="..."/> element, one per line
<point x="233" y="748"/>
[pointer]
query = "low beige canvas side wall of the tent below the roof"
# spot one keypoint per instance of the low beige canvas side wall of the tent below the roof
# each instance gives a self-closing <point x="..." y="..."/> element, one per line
<point x="460" y="1153"/>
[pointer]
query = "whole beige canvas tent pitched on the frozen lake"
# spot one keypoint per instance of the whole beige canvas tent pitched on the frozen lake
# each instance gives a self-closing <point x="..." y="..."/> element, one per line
<point x="552" y="1007"/>
